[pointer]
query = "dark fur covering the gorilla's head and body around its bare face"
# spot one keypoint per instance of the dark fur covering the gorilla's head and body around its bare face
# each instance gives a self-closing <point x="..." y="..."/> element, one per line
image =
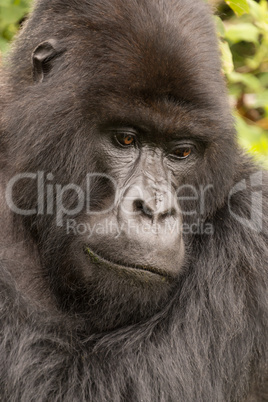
<point x="64" y="341"/>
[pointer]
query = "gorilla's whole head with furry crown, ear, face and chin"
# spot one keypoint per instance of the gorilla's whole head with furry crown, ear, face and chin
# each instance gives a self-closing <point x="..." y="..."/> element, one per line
<point x="128" y="124"/>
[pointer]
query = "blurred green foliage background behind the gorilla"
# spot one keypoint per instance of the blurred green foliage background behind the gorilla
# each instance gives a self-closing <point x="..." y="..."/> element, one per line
<point x="243" y="37"/>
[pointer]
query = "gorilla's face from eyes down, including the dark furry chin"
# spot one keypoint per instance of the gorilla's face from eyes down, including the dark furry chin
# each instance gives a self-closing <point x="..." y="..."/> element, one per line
<point x="127" y="267"/>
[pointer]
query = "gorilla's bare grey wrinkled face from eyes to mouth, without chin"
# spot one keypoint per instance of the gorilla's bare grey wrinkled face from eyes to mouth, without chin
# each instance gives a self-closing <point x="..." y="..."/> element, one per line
<point x="144" y="215"/>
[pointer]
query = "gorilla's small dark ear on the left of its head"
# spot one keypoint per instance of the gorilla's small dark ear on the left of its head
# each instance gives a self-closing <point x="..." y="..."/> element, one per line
<point x="43" y="57"/>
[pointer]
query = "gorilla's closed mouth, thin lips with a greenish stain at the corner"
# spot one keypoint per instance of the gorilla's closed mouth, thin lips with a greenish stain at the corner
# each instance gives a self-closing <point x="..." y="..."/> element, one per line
<point x="99" y="260"/>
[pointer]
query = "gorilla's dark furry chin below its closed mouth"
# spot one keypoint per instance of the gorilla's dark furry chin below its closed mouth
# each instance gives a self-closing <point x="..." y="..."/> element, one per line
<point x="115" y="295"/>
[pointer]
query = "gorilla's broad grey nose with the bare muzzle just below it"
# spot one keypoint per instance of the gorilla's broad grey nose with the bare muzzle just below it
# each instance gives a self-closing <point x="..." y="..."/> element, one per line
<point x="151" y="219"/>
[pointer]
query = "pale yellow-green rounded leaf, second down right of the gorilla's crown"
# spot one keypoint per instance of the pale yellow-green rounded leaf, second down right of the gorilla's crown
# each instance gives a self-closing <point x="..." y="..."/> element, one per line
<point x="242" y="32"/>
